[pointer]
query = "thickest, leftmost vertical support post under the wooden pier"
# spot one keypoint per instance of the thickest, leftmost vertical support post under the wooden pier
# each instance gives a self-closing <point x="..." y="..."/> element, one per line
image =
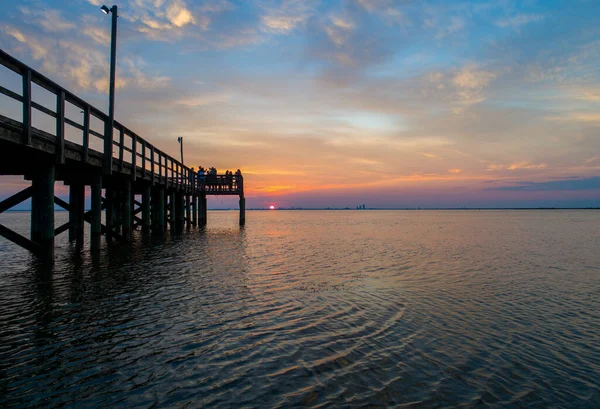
<point x="42" y="211"/>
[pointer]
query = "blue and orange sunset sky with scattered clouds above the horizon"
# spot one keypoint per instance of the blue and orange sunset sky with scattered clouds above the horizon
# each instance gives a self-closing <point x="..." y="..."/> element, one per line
<point x="431" y="103"/>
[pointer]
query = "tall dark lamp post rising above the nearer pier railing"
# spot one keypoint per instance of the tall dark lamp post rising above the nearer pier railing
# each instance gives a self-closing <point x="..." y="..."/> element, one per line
<point x="109" y="126"/>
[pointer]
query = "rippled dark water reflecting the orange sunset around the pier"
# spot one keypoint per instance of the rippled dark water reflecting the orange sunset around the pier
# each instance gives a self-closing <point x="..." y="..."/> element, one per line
<point x="317" y="309"/>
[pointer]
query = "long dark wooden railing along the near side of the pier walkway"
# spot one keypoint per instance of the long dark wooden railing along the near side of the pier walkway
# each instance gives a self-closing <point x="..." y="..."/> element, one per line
<point x="155" y="165"/>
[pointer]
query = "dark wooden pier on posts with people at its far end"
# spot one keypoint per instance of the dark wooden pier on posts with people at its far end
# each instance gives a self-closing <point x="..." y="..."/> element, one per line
<point x="172" y="195"/>
